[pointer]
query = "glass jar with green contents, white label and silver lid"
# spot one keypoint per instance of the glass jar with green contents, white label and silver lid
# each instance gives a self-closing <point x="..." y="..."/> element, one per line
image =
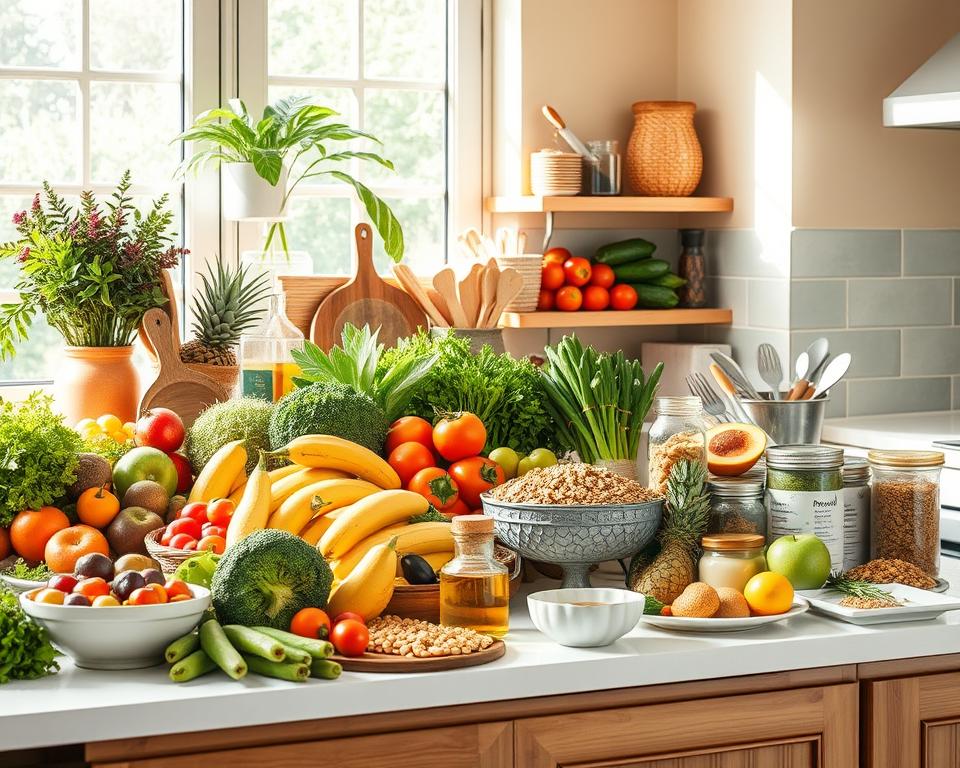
<point x="805" y="495"/>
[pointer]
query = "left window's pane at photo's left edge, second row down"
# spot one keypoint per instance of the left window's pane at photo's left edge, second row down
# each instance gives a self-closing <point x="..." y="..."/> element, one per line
<point x="40" y="126"/>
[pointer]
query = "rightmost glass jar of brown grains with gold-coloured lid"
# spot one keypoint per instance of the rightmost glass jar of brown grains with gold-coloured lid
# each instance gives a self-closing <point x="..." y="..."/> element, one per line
<point x="905" y="507"/>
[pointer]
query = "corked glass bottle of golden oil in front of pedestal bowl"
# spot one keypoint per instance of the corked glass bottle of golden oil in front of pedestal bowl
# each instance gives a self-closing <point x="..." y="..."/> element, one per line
<point x="474" y="586"/>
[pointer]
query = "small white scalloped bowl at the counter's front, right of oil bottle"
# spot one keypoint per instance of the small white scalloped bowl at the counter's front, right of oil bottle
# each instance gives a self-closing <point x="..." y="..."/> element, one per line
<point x="555" y="613"/>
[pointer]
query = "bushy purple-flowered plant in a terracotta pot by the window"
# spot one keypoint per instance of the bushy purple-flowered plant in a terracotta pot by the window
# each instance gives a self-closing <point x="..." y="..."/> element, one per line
<point x="92" y="272"/>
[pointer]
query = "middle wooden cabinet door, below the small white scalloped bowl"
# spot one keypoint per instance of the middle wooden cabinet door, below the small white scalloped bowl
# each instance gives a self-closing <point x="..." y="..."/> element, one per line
<point x="801" y="728"/>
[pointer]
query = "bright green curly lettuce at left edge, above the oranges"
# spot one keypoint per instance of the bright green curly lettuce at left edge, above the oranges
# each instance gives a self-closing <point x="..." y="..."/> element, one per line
<point x="38" y="455"/>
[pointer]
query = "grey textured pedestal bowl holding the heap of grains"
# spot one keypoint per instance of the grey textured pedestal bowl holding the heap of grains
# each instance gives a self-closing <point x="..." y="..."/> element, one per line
<point x="574" y="536"/>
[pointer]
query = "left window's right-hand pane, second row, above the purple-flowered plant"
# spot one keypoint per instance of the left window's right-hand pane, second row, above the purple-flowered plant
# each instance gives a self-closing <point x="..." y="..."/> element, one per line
<point x="131" y="125"/>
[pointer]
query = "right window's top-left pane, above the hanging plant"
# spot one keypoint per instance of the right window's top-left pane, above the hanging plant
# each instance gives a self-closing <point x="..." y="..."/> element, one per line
<point x="313" y="37"/>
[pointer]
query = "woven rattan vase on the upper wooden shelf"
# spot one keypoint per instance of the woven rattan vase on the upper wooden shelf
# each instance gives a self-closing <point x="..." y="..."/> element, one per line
<point x="664" y="158"/>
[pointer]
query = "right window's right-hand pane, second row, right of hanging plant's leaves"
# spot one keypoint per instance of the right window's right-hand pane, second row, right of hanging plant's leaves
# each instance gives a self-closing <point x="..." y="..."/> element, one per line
<point x="411" y="126"/>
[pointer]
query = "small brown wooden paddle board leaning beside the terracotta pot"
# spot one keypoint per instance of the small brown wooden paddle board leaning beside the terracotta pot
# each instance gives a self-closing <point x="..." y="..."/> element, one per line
<point x="176" y="387"/>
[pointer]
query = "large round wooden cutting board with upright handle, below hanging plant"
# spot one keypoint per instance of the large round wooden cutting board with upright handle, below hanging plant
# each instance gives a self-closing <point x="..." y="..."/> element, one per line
<point x="366" y="299"/>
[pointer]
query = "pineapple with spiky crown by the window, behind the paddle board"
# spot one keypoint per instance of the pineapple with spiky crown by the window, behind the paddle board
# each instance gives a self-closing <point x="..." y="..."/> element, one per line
<point x="222" y="310"/>
